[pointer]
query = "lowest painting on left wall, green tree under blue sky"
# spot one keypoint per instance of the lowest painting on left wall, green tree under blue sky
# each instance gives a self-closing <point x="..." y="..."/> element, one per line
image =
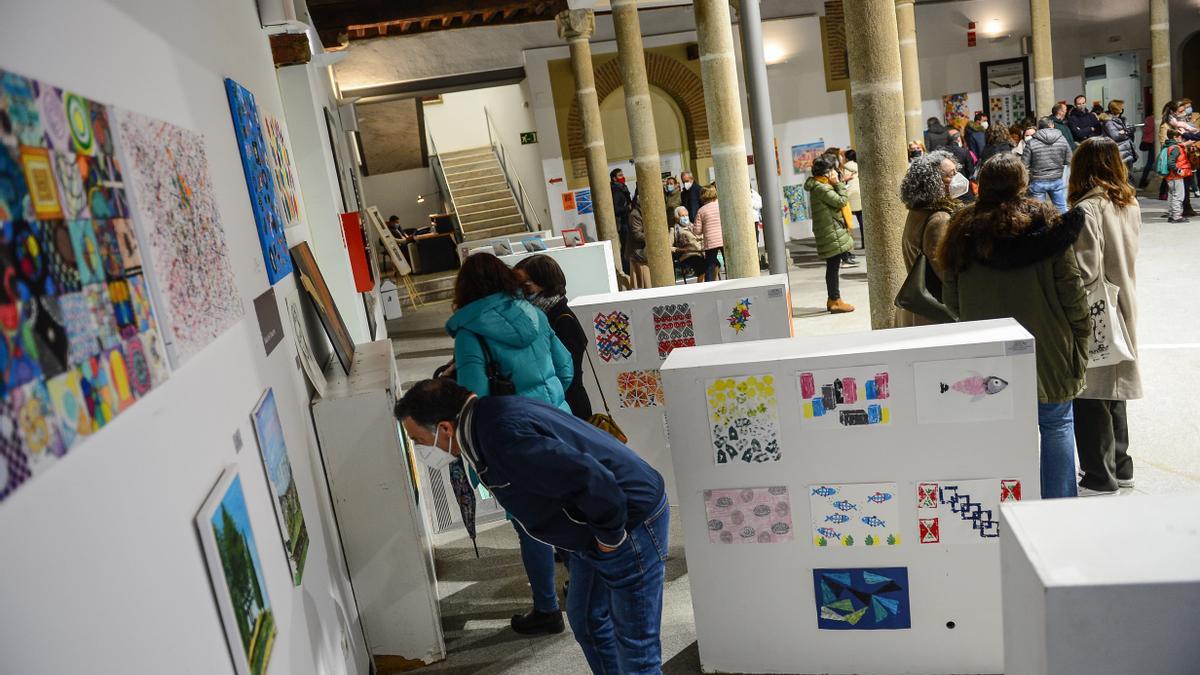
<point x="237" y="572"/>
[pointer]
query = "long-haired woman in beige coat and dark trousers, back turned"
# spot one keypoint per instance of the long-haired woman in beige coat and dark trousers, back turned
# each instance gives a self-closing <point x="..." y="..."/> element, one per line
<point x="1107" y="249"/>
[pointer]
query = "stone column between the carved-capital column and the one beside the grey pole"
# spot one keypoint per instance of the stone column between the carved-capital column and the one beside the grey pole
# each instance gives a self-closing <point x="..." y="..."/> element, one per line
<point x="645" y="141"/>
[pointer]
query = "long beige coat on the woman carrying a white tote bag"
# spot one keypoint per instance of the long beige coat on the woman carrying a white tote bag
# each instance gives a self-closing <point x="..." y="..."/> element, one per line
<point x="1107" y="249"/>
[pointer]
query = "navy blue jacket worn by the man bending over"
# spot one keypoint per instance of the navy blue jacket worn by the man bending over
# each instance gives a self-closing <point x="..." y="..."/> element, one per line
<point x="563" y="481"/>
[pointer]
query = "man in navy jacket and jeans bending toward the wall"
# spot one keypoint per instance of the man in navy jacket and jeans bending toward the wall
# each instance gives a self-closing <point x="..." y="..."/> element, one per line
<point x="571" y="486"/>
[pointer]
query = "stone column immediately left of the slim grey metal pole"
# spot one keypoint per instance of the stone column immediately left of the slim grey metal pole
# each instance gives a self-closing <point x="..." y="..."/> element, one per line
<point x="719" y="75"/>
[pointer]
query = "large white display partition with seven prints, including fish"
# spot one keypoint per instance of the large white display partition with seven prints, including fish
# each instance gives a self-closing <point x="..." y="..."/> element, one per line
<point x="759" y="607"/>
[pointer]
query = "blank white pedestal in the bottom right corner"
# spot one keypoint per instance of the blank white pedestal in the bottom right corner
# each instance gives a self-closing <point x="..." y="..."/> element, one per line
<point x="1102" y="586"/>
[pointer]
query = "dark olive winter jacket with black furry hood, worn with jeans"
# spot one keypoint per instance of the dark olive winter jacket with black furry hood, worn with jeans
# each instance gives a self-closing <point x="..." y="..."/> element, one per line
<point x="1034" y="278"/>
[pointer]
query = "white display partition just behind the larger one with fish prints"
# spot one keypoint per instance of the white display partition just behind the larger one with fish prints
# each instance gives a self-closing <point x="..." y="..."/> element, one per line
<point x="710" y="306"/>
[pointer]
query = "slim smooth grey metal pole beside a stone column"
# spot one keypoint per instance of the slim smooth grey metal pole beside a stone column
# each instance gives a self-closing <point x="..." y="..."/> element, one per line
<point x="763" y="132"/>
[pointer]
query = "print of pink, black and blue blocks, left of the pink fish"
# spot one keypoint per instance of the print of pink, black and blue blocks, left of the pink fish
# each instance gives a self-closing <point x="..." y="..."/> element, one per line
<point x="848" y="397"/>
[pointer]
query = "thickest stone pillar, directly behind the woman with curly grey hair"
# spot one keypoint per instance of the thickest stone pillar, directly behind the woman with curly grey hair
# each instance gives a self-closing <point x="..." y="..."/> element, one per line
<point x="877" y="91"/>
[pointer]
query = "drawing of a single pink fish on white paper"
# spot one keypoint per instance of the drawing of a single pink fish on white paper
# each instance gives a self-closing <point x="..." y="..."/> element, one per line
<point x="963" y="391"/>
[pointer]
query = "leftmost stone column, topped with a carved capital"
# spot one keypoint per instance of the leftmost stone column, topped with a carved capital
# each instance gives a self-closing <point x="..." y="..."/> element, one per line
<point x="577" y="27"/>
